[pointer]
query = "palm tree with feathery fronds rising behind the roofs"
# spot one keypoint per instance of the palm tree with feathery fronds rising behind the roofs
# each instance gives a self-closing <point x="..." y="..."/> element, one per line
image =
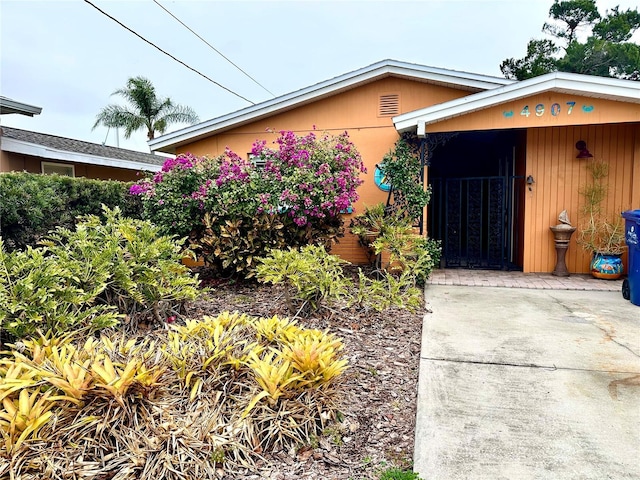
<point x="145" y="110"/>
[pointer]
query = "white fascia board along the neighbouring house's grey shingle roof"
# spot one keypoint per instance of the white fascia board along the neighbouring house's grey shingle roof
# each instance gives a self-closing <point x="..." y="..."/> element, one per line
<point x="35" y="150"/>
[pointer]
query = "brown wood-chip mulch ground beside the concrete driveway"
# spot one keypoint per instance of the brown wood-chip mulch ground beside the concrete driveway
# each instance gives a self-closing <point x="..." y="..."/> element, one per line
<point x="379" y="392"/>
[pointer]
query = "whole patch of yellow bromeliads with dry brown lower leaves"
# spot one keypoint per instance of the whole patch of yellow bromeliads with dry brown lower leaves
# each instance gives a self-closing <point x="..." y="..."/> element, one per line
<point x="202" y="397"/>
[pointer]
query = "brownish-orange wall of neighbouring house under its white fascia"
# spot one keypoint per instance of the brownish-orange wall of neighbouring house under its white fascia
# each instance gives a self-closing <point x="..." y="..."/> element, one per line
<point x="25" y="163"/>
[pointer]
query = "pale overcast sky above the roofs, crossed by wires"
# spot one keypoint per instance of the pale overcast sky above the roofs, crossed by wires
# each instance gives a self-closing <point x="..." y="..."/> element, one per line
<point x="68" y="58"/>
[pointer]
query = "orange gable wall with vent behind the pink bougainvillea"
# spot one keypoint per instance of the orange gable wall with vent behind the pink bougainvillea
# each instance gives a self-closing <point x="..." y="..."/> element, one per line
<point x="355" y="111"/>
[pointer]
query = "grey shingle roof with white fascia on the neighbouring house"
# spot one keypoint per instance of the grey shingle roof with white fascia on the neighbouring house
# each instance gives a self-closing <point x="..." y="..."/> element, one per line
<point x="67" y="149"/>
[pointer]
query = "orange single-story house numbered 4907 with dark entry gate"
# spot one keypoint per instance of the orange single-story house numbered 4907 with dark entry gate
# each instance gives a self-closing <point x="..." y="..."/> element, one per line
<point x="499" y="155"/>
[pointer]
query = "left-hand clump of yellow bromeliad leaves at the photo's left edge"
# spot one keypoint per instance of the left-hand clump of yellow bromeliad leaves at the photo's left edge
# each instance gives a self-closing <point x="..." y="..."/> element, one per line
<point x="46" y="373"/>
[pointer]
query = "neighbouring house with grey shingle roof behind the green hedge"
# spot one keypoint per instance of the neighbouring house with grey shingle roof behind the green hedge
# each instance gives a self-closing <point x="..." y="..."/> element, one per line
<point x="24" y="150"/>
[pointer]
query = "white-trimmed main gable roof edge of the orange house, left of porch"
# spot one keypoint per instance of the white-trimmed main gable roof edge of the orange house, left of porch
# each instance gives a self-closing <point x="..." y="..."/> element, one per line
<point x="387" y="68"/>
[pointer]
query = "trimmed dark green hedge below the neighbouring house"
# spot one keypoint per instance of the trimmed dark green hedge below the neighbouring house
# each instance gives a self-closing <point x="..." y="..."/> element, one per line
<point x="33" y="204"/>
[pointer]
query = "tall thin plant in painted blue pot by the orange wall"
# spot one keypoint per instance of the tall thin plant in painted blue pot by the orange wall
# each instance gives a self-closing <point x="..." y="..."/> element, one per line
<point x="601" y="233"/>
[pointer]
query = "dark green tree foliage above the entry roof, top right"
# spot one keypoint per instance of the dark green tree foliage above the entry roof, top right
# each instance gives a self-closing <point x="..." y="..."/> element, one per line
<point x="606" y="51"/>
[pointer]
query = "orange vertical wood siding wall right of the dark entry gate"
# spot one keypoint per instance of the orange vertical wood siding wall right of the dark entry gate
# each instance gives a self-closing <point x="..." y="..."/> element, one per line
<point x="558" y="175"/>
